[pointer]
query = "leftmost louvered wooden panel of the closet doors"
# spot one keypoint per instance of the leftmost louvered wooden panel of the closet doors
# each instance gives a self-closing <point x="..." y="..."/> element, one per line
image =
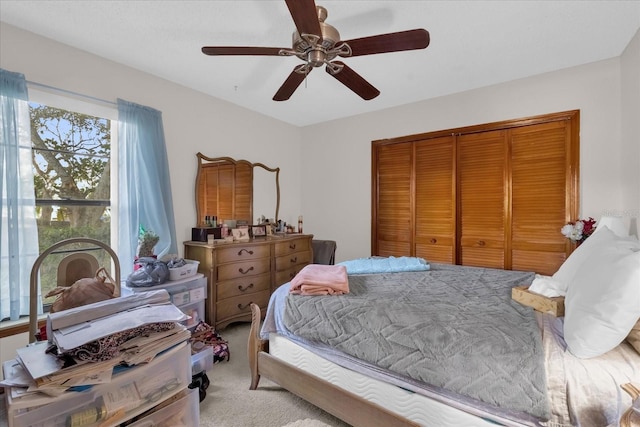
<point x="392" y="194"/>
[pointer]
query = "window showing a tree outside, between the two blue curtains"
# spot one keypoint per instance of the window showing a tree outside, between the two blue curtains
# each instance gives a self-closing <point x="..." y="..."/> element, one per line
<point x="73" y="143"/>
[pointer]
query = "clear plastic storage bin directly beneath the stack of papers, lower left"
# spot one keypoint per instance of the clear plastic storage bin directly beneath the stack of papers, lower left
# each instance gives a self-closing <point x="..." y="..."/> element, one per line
<point x="130" y="393"/>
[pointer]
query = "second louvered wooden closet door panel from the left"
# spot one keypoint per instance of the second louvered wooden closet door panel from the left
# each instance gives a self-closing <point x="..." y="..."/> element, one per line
<point x="435" y="216"/>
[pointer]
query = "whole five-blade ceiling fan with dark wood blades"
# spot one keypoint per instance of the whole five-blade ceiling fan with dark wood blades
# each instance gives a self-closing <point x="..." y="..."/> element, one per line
<point x="318" y="43"/>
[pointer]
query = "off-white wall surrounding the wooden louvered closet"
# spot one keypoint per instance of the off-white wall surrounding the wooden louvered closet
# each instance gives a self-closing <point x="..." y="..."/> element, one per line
<point x="337" y="199"/>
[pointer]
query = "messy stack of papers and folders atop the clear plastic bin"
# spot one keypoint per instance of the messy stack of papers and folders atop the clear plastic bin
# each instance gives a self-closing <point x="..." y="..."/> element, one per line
<point x="51" y="367"/>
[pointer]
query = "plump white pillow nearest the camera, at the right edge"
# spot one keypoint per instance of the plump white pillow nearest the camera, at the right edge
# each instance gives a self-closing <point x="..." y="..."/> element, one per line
<point x="603" y="300"/>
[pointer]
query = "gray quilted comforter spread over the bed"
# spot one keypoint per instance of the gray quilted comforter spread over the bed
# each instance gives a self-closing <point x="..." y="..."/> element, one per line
<point x="451" y="327"/>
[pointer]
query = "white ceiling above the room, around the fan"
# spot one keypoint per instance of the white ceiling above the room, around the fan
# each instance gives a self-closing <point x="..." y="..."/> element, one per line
<point x="473" y="44"/>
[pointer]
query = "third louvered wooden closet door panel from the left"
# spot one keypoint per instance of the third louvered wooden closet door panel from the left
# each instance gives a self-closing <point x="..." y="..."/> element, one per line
<point x="482" y="195"/>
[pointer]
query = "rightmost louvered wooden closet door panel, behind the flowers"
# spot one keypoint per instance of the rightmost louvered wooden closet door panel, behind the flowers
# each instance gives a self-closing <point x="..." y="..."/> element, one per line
<point x="540" y="196"/>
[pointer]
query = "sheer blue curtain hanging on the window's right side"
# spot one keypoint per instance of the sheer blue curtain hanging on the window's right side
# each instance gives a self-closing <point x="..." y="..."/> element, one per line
<point x="144" y="197"/>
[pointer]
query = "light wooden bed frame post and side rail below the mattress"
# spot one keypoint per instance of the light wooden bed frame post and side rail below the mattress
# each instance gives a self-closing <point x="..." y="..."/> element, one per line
<point x="345" y="405"/>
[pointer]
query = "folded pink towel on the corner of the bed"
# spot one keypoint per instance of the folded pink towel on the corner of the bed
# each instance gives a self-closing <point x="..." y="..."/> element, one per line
<point x="320" y="279"/>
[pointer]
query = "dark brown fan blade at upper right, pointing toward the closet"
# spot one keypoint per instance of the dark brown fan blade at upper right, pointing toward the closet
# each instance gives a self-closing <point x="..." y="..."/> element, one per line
<point x="391" y="42"/>
